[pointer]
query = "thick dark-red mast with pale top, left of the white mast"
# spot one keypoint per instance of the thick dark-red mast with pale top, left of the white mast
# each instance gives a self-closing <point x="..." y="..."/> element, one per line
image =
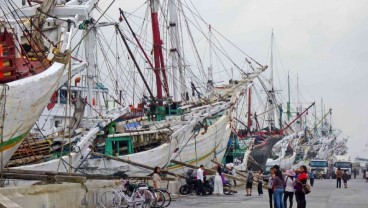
<point x="157" y="52"/>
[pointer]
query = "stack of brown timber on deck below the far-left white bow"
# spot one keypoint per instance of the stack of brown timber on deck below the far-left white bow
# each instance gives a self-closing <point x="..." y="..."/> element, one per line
<point x="30" y="151"/>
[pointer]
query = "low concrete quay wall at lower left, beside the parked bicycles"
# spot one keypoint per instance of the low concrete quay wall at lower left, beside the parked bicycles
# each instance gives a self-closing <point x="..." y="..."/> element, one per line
<point x="72" y="195"/>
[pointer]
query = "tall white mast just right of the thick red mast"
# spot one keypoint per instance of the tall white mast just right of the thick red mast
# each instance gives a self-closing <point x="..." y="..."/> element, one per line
<point x="175" y="53"/>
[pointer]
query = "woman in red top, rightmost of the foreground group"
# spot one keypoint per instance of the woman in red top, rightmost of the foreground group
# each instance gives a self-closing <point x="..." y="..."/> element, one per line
<point x="299" y="194"/>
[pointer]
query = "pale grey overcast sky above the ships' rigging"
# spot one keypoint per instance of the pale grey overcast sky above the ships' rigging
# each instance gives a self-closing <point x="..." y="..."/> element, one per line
<point x="324" y="43"/>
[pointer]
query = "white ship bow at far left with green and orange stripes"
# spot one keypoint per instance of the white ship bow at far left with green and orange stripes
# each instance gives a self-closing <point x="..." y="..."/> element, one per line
<point x="22" y="102"/>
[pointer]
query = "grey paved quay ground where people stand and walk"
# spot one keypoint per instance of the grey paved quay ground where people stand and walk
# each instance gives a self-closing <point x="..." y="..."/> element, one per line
<point x="324" y="195"/>
